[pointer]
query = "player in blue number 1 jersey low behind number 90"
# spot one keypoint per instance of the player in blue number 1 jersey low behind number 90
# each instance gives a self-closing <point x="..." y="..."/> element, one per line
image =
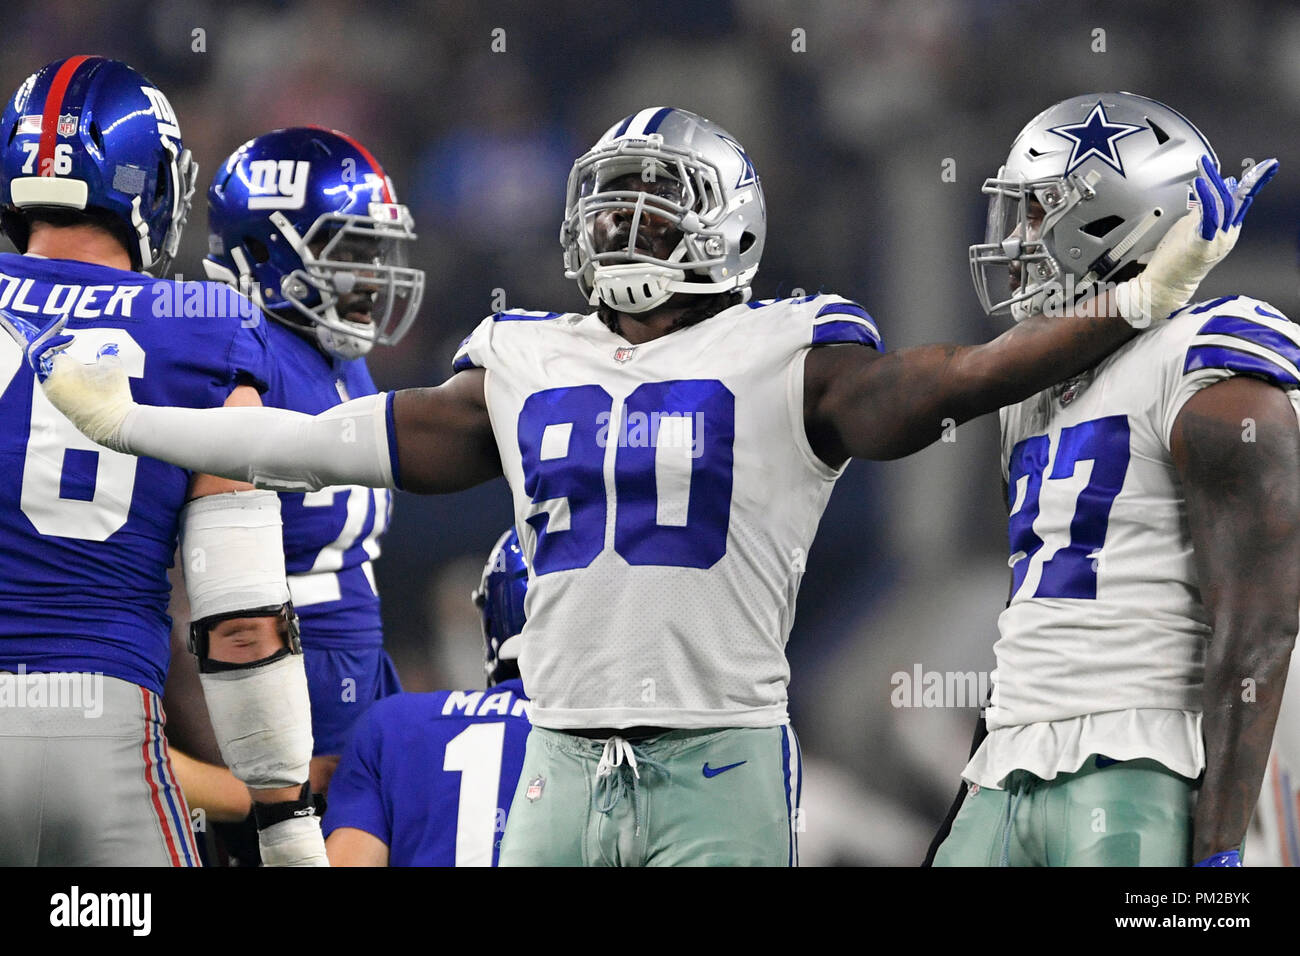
<point x="428" y="778"/>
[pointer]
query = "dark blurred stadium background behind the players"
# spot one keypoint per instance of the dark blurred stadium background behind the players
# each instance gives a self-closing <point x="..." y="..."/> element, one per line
<point x="851" y="136"/>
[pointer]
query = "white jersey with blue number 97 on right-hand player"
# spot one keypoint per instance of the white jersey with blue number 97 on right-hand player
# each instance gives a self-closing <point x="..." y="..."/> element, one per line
<point x="1102" y="648"/>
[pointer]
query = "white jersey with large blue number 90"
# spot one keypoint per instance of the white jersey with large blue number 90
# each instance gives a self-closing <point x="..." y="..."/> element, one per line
<point x="666" y="498"/>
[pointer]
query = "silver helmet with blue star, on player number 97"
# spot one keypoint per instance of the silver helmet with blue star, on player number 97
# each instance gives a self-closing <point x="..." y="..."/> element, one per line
<point x="1090" y="188"/>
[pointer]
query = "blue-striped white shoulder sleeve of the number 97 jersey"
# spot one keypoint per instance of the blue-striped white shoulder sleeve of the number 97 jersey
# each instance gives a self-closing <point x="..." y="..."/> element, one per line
<point x="1233" y="336"/>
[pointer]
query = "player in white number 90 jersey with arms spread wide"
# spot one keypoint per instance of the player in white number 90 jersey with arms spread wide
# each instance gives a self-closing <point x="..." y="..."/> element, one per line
<point x="670" y="455"/>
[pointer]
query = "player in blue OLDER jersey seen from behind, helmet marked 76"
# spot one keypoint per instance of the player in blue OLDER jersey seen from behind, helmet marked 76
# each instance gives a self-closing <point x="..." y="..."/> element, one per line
<point x="96" y="185"/>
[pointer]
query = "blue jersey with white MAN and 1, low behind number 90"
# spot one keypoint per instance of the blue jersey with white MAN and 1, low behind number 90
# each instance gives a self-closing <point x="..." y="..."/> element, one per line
<point x="434" y="775"/>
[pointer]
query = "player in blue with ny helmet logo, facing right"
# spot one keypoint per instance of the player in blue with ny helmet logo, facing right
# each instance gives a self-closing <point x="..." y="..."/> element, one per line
<point x="307" y="224"/>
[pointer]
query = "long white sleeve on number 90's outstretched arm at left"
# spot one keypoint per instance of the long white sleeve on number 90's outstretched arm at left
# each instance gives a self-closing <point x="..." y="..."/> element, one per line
<point x="270" y="448"/>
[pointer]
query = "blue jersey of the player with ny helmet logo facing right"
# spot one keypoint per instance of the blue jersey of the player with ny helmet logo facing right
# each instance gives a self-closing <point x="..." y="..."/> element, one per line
<point x="332" y="537"/>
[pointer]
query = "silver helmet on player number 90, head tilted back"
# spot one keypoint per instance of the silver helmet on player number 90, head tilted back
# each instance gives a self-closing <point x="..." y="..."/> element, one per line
<point x="709" y="192"/>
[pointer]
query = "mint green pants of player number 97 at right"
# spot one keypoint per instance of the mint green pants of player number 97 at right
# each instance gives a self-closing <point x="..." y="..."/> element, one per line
<point x="1128" y="814"/>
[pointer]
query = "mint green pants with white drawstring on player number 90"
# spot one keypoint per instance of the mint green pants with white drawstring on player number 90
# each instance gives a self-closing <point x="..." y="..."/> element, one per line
<point x="708" y="798"/>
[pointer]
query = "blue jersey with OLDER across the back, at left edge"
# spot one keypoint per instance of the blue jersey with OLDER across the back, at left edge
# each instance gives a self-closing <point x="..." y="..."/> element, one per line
<point x="88" y="535"/>
